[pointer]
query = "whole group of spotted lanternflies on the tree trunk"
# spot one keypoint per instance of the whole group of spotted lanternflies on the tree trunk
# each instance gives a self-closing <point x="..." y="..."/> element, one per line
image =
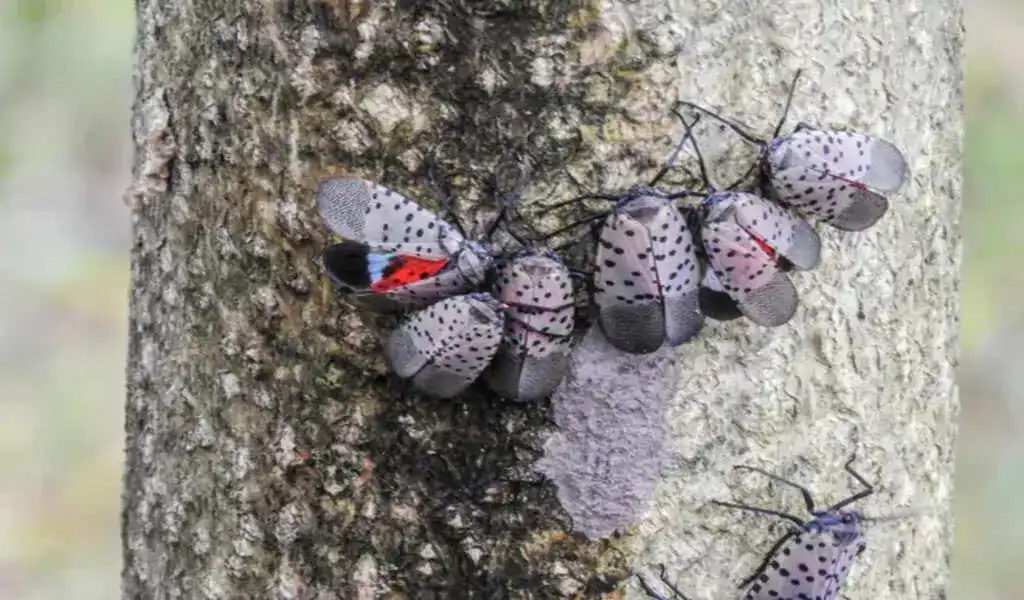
<point x="660" y="267"/>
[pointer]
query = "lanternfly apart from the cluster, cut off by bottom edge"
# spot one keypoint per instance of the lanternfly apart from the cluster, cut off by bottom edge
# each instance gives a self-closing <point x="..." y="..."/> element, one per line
<point x="815" y="559"/>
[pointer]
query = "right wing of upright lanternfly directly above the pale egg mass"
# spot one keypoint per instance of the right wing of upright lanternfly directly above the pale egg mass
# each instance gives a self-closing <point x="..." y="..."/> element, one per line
<point x="678" y="275"/>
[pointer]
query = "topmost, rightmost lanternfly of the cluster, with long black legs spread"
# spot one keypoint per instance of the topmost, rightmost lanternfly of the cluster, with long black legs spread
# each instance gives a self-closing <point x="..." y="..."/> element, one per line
<point x="839" y="178"/>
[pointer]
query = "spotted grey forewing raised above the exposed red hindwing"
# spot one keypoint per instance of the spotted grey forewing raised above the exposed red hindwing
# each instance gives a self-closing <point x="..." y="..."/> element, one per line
<point x="386" y="221"/>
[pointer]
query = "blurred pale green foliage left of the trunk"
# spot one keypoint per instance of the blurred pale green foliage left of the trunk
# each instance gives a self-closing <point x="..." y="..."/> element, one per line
<point x="65" y="100"/>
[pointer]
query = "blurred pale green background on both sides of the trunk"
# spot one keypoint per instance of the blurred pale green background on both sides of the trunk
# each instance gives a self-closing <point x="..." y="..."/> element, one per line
<point x="65" y="162"/>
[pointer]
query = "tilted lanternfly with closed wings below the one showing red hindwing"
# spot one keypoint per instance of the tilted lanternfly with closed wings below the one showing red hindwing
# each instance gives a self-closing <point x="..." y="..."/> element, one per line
<point x="444" y="349"/>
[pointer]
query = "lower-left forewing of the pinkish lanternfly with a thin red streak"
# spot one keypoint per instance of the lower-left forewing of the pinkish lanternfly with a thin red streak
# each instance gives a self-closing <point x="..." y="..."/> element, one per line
<point x="747" y="273"/>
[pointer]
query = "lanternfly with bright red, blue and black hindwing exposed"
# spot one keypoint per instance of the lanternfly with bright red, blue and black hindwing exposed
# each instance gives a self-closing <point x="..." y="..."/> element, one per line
<point x="397" y="254"/>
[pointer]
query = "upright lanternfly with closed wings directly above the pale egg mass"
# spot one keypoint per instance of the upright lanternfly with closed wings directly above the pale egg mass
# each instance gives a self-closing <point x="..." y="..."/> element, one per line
<point x="647" y="274"/>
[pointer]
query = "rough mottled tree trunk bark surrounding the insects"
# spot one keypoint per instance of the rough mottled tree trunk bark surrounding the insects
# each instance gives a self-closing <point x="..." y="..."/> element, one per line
<point x="269" y="454"/>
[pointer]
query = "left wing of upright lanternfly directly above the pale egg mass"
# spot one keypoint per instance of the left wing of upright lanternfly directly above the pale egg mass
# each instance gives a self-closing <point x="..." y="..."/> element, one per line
<point x="626" y="289"/>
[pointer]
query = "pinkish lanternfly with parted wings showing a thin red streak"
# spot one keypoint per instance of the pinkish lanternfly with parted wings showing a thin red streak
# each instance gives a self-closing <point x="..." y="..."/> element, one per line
<point x="744" y="238"/>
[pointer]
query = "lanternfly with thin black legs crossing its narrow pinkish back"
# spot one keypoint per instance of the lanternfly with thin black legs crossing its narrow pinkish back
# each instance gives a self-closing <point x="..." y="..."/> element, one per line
<point x="534" y="356"/>
